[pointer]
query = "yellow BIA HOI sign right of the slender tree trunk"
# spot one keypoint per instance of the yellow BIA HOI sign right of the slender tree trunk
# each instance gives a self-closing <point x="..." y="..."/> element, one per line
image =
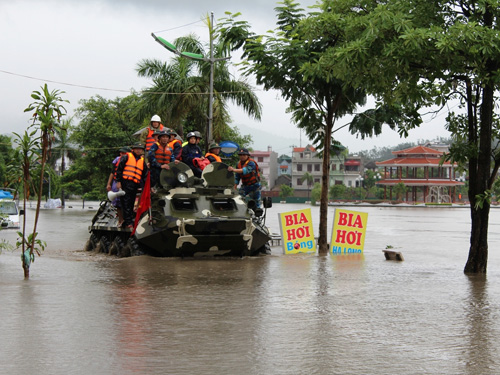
<point x="349" y="230"/>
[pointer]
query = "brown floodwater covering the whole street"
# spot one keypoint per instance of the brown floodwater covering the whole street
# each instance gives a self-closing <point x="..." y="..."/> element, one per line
<point x="86" y="313"/>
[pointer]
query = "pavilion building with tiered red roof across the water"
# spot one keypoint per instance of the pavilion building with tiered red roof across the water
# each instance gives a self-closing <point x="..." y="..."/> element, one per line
<point x="421" y="170"/>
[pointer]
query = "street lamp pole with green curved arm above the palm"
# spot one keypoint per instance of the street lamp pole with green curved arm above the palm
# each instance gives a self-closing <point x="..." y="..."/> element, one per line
<point x="196" y="56"/>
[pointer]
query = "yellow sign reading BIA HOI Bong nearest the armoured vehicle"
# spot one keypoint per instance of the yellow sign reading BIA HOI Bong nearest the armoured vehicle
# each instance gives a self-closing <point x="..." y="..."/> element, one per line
<point x="297" y="232"/>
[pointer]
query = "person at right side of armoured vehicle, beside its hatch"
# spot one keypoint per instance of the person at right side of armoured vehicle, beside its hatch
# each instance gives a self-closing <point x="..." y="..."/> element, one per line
<point x="249" y="174"/>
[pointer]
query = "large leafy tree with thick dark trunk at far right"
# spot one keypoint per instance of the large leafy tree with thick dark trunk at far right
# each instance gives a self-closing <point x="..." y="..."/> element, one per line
<point x="415" y="54"/>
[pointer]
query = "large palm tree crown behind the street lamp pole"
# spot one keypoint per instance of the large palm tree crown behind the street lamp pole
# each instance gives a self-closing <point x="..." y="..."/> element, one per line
<point x="179" y="90"/>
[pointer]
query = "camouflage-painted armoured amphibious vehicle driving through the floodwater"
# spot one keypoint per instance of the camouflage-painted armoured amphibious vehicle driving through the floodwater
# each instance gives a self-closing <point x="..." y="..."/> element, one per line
<point x="189" y="216"/>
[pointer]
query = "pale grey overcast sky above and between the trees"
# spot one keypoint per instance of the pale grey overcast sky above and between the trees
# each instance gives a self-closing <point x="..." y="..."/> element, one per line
<point x="92" y="47"/>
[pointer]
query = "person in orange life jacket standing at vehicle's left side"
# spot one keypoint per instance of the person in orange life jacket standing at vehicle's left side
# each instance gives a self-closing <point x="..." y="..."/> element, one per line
<point x="130" y="176"/>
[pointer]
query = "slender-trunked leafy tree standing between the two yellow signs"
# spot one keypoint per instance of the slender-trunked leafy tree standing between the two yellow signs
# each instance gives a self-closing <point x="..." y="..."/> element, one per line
<point x="278" y="60"/>
